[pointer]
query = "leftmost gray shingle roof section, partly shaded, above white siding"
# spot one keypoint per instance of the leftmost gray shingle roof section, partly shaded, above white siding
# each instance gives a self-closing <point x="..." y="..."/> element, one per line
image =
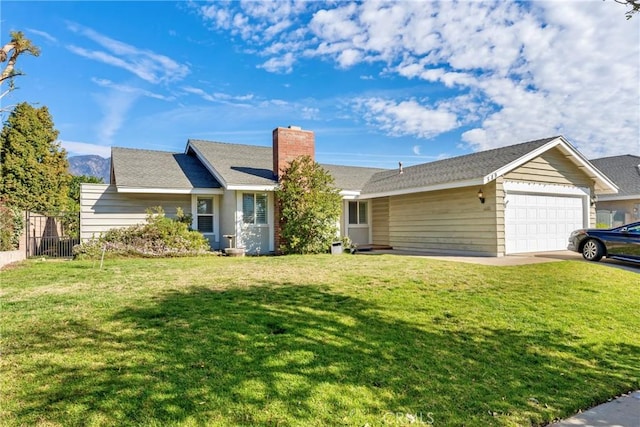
<point x="159" y="169"/>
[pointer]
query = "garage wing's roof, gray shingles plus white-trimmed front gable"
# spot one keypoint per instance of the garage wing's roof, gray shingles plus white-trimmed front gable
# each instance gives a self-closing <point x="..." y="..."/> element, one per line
<point x="477" y="169"/>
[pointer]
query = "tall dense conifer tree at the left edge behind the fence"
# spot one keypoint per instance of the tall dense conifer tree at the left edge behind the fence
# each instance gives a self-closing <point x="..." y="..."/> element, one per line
<point x="33" y="166"/>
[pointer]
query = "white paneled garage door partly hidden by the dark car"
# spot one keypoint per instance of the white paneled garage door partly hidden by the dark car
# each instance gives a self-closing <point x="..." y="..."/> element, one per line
<point x="541" y="222"/>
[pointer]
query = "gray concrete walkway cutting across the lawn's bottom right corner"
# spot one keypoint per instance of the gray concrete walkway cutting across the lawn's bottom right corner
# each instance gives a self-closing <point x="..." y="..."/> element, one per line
<point x="621" y="412"/>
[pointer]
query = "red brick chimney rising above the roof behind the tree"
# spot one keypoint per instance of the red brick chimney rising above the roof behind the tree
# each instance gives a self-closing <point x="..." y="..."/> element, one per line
<point x="290" y="143"/>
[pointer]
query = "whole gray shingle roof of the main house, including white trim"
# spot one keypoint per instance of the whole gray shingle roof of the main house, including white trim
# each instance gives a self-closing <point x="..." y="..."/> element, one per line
<point x="207" y="164"/>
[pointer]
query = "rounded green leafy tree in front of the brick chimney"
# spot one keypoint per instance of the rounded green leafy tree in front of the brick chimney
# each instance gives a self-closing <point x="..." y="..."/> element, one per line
<point x="309" y="207"/>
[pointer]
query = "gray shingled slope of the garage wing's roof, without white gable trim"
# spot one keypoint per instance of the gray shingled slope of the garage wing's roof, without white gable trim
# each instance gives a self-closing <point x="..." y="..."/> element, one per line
<point x="456" y="169"/>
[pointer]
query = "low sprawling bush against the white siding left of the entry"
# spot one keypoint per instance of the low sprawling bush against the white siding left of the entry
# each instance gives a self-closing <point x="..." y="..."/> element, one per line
<point x="158" y="237"/>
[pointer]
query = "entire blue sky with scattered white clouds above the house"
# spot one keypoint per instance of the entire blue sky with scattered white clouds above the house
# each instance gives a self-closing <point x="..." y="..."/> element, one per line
<point x="377" y="82"/>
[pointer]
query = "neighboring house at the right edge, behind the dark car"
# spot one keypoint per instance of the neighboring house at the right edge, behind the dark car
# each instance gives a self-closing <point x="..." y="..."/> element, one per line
<point x="624" y="207"/>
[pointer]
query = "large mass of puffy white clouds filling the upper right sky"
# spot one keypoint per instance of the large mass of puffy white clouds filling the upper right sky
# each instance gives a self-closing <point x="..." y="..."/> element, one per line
<point x="528" y="69"/>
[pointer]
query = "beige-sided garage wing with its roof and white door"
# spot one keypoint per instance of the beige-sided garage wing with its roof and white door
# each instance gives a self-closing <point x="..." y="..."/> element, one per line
<point x="523" y="198"/>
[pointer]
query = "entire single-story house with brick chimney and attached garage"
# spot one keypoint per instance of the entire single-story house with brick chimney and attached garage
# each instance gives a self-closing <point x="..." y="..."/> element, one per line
<point x="522" y="198"/>
